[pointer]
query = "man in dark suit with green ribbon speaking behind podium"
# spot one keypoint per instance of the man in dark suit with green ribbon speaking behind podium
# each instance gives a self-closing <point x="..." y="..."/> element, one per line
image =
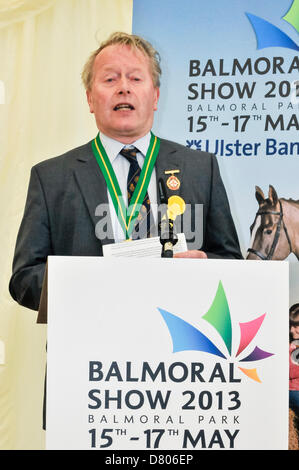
<point x="66" y="193"/>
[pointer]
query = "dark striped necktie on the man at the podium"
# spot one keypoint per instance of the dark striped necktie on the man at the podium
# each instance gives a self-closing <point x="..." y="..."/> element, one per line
<point x="144" y="220"/>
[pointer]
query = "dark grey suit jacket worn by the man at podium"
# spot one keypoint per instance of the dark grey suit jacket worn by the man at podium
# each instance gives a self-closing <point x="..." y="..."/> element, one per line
<point x="59" y="217"/>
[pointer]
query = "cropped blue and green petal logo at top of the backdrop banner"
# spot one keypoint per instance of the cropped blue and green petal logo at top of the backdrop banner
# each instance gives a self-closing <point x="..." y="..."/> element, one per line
<point x="269" y="35"/>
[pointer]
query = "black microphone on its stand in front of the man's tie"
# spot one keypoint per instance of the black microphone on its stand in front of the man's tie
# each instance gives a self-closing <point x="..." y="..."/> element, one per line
<point x="168" y="237"/>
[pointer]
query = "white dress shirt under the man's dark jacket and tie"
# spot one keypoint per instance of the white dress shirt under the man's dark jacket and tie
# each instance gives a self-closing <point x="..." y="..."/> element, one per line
<point x="121" y="168"/>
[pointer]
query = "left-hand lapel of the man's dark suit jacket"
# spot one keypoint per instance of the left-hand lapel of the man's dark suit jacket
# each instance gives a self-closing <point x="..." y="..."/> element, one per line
<point x="94" y="190"/>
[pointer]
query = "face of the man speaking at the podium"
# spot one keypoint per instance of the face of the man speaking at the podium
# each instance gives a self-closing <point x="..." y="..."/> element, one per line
<point x="122" y="95"/>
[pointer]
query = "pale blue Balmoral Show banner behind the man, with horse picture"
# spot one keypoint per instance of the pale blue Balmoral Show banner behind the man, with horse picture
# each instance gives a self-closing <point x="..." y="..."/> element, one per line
<point x="230" y="87"/>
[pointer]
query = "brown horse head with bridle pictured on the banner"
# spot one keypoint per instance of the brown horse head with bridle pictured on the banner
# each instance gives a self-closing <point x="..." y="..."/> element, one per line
<point x="269" y="238"/>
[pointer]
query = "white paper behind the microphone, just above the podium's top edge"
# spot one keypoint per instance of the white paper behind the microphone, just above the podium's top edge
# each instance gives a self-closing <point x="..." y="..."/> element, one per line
<point x="146" y="247"/>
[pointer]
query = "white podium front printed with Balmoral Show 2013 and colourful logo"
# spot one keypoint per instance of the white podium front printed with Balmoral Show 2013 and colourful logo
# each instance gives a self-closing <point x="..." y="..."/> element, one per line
<point x="167" y="354"/>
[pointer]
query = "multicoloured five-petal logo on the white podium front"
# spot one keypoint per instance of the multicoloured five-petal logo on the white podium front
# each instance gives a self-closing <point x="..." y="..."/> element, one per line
<point x="186" y="337"/>
